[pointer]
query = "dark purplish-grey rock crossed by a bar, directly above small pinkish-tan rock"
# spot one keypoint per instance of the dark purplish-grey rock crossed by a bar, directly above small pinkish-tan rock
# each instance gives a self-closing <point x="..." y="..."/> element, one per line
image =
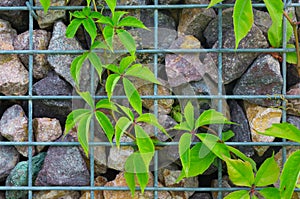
<point x="52" y="85"/>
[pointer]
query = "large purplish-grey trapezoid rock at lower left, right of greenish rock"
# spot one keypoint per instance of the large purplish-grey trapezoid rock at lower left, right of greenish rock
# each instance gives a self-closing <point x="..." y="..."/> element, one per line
<point x="63" y="166"/>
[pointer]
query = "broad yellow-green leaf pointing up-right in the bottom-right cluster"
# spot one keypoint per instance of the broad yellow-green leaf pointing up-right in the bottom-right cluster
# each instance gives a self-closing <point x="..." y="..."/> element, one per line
<point x="267" y="173"/>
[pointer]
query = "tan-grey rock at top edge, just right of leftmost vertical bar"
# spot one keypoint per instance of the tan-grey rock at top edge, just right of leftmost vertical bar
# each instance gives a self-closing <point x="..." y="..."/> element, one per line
<point x="47" y="20"/>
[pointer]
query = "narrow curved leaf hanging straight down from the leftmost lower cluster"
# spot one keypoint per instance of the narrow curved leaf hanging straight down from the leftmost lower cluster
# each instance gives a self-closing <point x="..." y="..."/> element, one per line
<point x="83" y="132"/>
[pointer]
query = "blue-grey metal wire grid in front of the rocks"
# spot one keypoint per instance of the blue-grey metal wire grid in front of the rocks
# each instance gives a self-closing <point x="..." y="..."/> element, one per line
<point x="156" y="8"/>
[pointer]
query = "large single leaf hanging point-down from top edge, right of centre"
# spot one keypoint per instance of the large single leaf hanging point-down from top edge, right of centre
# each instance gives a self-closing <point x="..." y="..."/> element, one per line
<point x="242" y="19"/>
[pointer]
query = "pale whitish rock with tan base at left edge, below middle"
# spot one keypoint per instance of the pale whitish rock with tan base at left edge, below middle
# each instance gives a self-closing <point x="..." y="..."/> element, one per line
<point x="13" y="126"/>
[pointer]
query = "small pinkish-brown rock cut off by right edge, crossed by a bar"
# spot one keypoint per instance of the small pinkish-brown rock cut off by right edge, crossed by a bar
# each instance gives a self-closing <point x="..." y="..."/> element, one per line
<point x="294" y="104"/>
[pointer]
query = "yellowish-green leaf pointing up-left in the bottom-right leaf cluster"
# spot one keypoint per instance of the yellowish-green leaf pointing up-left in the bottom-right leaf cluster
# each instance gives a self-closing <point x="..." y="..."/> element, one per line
<point x="240" y="172"/>
